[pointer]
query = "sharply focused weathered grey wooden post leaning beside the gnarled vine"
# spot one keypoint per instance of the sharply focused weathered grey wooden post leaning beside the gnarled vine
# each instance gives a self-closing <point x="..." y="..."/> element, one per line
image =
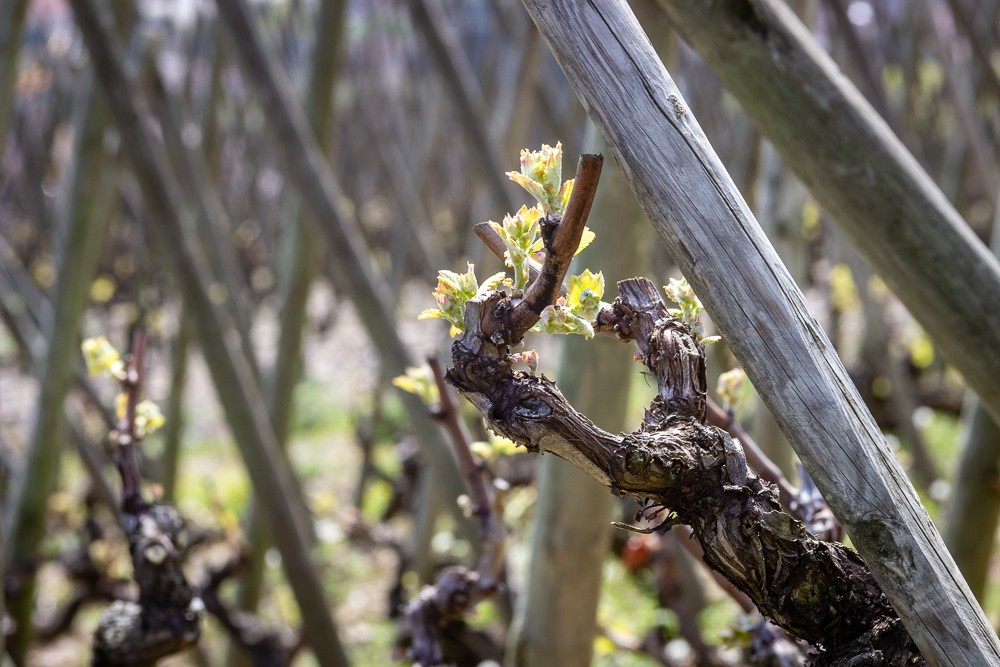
<point x="711" y="234"/>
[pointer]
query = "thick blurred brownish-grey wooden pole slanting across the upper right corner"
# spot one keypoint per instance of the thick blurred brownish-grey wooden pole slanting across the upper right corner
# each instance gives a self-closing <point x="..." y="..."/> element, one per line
<point x="860" y="173"/>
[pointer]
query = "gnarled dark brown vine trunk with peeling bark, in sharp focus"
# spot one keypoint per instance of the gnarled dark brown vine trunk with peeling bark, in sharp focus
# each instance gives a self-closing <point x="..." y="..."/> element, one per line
<point x="819" y="591"/>
